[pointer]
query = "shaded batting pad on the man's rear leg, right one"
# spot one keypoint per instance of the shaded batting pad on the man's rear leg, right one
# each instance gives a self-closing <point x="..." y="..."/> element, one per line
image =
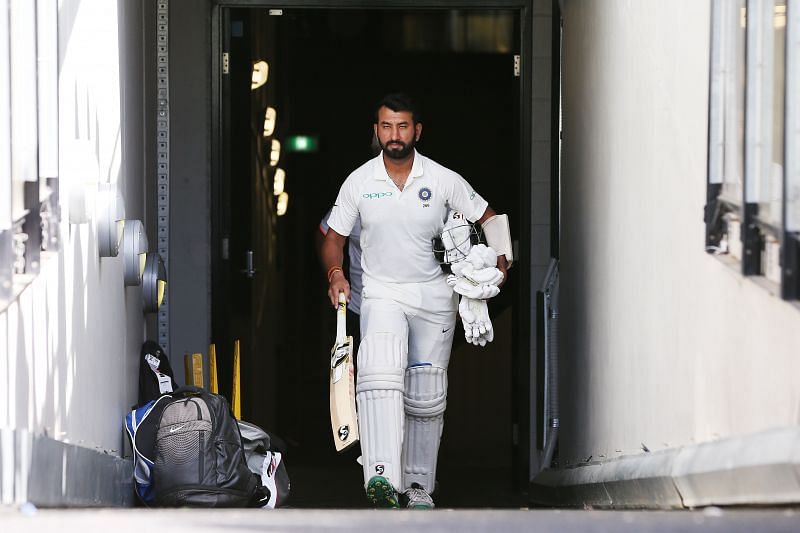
<point x="425" y="402"/>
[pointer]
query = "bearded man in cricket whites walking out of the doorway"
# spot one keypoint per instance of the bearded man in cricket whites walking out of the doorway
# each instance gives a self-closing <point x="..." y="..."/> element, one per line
<point x="408" y="310"/>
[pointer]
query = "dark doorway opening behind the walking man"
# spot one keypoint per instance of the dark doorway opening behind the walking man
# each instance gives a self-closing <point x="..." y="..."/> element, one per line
<point x="326" y="70"/>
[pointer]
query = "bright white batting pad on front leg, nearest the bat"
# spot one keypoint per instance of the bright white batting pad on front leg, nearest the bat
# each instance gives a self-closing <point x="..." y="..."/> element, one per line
<point x="379" y="393"/>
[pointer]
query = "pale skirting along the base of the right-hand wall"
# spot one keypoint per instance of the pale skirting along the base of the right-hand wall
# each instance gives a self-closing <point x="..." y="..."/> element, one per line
<point x="757" y="469"/>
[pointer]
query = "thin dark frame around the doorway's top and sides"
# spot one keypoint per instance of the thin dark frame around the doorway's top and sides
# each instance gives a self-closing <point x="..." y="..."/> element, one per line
<point x="523" y="341"/>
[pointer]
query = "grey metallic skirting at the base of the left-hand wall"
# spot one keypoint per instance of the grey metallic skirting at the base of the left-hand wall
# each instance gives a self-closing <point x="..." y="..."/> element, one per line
<point x="51" y="473"/>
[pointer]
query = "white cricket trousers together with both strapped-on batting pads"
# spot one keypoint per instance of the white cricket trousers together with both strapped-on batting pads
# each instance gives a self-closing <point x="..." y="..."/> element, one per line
<point x="407" y="335"/>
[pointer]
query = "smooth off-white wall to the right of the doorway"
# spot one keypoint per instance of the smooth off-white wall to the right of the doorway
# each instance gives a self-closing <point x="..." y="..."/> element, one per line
<point x="663" y="345"/>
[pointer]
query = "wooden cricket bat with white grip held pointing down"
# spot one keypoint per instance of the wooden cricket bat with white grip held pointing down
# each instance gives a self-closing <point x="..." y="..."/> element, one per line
<point x="344" y="421"/>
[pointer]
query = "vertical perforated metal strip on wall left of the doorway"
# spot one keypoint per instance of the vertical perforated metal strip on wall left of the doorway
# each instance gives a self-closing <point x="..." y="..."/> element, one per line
<point x="162" y="134"/>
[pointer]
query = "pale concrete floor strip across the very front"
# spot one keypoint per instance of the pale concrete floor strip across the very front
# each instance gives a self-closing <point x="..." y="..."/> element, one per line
<point x="28" y="518"/>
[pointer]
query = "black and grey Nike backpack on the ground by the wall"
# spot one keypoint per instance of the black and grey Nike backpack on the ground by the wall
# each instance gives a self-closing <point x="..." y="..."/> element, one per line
<point x="188" y="453"/>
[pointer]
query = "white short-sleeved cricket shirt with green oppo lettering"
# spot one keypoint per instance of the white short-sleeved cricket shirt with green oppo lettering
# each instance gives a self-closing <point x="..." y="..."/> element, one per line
<point x="397" y="226"/>
